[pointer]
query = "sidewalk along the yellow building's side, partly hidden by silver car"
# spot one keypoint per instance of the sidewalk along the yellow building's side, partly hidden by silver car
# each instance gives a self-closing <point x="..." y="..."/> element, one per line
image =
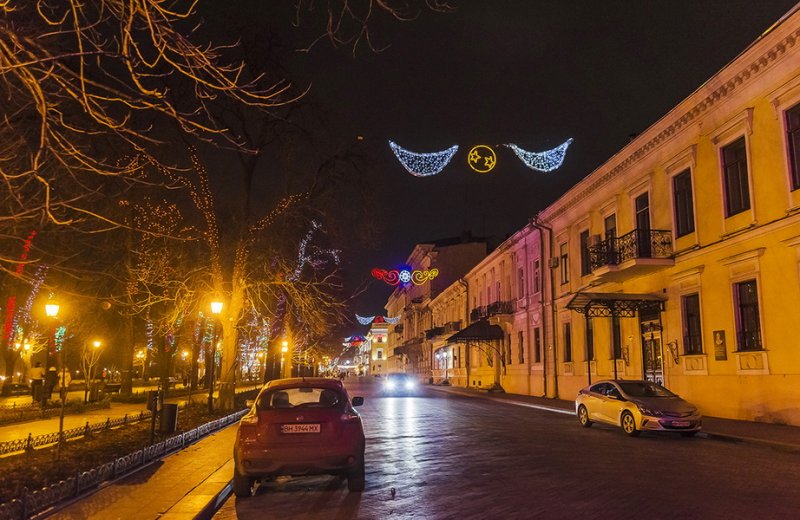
<point x="775" y="435"/>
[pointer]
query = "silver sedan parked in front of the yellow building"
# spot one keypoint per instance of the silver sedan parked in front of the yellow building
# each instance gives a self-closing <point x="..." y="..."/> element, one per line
<point x="636" y="406"/>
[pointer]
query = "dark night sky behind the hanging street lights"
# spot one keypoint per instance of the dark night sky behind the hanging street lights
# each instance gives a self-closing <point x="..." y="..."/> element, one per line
<point x="529" y="72"/>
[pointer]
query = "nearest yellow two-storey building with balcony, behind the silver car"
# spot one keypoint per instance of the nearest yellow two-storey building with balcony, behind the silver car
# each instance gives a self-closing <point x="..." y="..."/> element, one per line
<point x="677" y="260"/>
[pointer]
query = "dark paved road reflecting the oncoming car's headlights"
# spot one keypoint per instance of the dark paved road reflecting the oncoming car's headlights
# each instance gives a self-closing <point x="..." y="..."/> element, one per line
<point x="443" y="456"/>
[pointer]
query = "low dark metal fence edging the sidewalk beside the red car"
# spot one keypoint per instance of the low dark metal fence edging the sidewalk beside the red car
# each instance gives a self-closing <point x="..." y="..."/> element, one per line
<point x="33" y="503"/>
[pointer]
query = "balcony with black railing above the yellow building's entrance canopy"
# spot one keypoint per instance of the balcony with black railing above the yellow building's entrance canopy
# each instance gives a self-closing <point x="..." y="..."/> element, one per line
<point x="636" y="253"/>
